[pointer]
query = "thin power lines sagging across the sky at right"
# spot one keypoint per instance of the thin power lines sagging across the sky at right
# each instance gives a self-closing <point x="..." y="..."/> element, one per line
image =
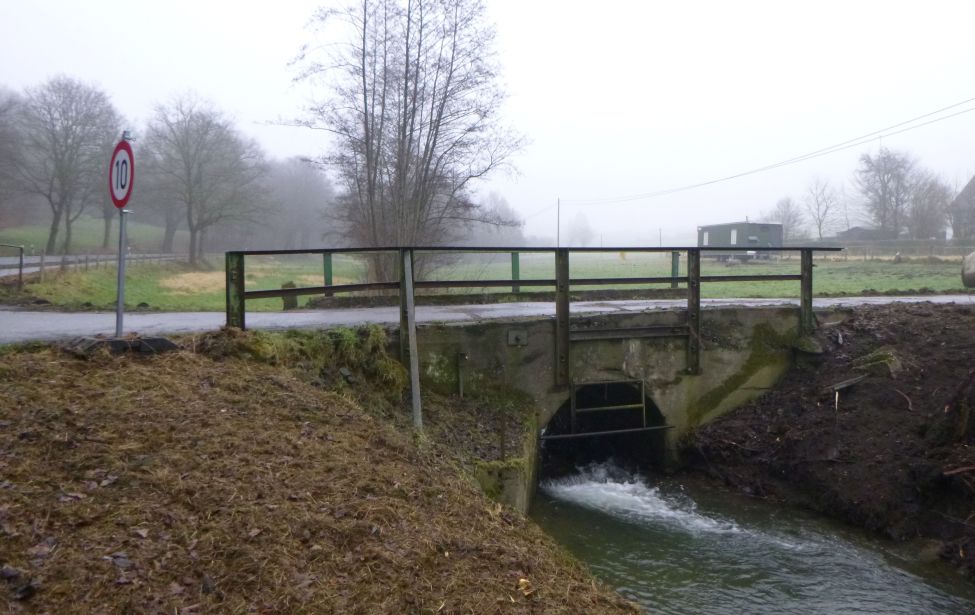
<point x="850" y="143"/>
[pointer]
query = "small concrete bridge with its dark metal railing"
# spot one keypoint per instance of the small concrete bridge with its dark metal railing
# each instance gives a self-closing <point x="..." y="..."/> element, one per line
<point x="595" y="375"/>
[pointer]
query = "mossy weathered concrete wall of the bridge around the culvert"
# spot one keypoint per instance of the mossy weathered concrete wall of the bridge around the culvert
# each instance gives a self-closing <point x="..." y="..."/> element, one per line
<point x="744" y="352"/>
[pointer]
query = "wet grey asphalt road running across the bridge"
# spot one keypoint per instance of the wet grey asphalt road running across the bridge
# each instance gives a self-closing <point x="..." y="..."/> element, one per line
<point x="20" y="326"/>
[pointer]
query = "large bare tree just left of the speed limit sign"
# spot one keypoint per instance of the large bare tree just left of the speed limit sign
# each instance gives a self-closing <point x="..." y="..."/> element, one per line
<point x="66" y="129"/>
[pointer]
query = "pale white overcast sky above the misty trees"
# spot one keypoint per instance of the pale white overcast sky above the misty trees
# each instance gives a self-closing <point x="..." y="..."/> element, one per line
<point x="618" y="99"/>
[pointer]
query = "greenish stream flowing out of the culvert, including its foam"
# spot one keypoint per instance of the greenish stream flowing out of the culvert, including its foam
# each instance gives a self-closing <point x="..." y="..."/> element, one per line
<point x="717" y="553"/>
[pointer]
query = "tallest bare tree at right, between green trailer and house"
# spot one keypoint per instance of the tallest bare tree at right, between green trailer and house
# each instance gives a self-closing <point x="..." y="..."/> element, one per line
<point x="884" y="181"/>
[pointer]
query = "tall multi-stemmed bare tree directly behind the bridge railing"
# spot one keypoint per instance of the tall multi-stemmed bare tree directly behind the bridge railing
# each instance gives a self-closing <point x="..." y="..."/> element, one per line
<point x="414" y="103"/>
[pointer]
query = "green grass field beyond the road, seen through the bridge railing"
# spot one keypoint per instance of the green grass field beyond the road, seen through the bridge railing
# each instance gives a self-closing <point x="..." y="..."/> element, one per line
<point x="175" y="287"/>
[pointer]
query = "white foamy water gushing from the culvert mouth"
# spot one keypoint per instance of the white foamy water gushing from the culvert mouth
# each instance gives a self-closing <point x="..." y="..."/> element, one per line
<point x="613" y="491"/>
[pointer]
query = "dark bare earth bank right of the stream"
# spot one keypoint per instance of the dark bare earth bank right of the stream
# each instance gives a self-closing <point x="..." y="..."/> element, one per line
<point x="878" y="430"/>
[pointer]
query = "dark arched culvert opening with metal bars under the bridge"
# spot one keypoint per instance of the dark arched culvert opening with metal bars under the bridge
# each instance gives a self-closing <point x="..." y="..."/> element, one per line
<point x="613" y="407"/>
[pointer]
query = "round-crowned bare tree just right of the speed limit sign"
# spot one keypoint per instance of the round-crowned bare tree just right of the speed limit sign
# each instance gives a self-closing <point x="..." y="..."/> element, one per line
<point x="201" y="165"/>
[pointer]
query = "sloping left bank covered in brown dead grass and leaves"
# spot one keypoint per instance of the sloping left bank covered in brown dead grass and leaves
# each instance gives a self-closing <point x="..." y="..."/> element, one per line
<point x="185" y="483"/>
